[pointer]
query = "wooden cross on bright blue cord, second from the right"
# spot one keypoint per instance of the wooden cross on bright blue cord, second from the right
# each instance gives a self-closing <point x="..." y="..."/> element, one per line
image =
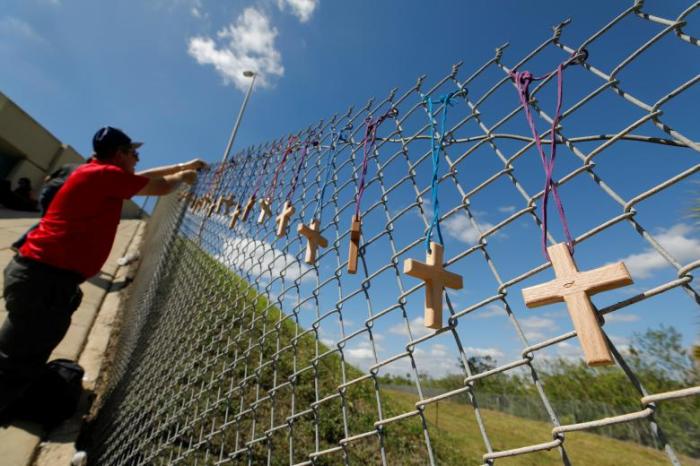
<point x="436" y="279"/>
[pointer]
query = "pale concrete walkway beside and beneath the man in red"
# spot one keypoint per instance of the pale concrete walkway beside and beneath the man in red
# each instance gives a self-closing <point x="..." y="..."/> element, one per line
<point x="85" y="342"/>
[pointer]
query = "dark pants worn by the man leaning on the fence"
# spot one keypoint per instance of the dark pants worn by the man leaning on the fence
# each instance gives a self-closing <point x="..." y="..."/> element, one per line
<point x="40" y="300"/>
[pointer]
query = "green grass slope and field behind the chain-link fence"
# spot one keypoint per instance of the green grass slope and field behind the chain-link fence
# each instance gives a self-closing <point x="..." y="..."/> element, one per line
<point x="224" y="322"/>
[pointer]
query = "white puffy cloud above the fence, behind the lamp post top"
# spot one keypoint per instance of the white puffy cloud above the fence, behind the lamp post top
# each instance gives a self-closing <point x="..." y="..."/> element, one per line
<point x="247" y="44"/>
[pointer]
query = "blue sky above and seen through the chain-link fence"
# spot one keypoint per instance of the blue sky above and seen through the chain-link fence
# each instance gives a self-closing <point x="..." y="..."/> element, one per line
<point x="168" y="72"/>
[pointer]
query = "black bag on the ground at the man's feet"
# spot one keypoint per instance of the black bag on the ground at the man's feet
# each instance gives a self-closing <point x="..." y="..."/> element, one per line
<point x="54" y="396"/>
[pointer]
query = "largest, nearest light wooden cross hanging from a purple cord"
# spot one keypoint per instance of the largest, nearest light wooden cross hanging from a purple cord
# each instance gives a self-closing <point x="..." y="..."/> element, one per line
<point x="575" y="288"/>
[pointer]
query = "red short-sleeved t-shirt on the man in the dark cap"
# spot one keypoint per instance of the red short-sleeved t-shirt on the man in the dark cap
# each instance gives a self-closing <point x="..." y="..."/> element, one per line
<point x="78" y="230"/>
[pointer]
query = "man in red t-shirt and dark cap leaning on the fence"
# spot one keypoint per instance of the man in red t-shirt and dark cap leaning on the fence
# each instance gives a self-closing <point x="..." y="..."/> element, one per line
<point x="70" y="245"/>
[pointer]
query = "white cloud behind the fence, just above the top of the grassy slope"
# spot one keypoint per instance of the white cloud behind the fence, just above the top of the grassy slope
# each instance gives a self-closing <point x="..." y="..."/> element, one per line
<point x="260" y="259"/>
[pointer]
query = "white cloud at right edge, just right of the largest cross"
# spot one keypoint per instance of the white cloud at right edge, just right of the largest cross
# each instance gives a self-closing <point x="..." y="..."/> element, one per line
<point x="676" y="241"/>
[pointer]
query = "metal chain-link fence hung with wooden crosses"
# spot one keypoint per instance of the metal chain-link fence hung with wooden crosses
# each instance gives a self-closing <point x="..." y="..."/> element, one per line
<point x="237" y="348"/>
